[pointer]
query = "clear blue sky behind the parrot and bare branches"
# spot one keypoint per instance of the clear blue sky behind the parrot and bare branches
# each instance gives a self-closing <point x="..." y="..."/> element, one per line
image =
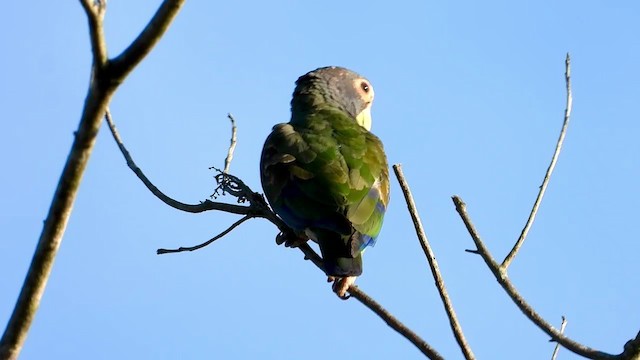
<point x="469" y="97"/>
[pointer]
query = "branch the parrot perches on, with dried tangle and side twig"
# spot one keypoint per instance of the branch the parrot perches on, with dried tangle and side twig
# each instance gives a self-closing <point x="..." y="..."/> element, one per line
<point x="259" y="208"/>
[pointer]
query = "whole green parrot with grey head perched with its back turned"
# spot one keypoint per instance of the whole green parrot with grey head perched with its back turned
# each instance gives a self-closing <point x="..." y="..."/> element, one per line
<point x="325" y="174"/>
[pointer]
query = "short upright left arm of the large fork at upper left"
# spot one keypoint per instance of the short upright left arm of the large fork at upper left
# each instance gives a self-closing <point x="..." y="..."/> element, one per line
<point x="95" y="11"/>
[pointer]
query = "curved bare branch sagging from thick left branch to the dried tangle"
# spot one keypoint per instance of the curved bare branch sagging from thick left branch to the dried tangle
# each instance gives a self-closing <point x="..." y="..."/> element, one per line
<point x="196" y="208"/>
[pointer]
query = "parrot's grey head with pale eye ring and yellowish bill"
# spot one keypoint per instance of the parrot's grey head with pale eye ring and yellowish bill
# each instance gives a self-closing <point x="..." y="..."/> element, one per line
<point x="337" y="87"/>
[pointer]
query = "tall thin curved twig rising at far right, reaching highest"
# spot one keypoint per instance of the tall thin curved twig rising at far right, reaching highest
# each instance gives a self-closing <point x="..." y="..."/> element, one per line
<point x="547" y="176"/>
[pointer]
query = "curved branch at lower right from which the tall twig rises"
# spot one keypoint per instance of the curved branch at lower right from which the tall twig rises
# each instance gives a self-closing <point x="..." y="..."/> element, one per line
<point x="502" y="278"/>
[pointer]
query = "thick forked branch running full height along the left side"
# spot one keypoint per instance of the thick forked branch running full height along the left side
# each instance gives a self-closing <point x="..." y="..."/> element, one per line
<point x="103" y="85"/>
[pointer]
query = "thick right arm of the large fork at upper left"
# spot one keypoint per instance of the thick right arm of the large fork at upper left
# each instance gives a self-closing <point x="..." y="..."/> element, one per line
<point x="148" y="38"/>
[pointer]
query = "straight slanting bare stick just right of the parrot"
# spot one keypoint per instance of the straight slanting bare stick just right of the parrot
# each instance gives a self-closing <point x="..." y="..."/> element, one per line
<point x="435" y="270"/>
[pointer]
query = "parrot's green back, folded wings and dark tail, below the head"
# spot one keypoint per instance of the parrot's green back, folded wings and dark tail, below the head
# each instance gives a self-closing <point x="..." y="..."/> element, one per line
<point x="327" y="176"/>
